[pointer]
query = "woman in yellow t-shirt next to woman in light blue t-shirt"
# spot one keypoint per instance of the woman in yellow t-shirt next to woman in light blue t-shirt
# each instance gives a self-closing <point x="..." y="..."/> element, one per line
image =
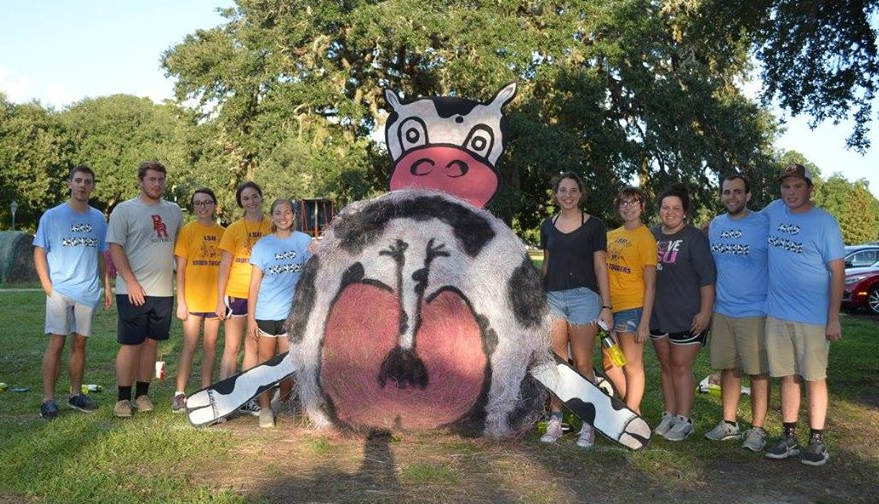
<point x="233" y="280"/>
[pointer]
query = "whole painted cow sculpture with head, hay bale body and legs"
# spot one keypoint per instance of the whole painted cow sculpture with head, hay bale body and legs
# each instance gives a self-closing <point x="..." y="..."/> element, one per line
<point x="421" y="310"/>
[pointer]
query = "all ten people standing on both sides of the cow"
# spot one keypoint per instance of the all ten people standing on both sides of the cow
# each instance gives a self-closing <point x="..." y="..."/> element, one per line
<point x="767" y="284"/>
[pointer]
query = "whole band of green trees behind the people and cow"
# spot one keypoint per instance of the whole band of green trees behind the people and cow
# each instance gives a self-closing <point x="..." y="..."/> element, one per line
<point x="290" y="94"/>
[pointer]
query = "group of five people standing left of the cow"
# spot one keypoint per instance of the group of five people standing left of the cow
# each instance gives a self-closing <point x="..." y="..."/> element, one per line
<point x="243" y="275"/>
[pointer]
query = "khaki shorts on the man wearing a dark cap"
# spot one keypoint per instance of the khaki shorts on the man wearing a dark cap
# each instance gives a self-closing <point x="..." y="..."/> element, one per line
<point x="795" y="348"/>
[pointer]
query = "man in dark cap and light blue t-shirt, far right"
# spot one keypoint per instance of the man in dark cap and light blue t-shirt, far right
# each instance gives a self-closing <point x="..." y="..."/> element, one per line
<point x="806" y="280"/>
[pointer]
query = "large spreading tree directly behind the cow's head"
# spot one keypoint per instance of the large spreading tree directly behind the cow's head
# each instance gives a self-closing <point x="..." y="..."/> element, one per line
<point x="617" y="91"/>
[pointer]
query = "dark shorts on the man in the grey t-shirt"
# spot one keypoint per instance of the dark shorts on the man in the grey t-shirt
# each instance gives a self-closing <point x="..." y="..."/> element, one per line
<point x="137" y="323"/>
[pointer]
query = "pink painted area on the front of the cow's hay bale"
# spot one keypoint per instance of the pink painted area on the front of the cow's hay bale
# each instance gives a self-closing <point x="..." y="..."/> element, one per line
<point x="363" y="327"/>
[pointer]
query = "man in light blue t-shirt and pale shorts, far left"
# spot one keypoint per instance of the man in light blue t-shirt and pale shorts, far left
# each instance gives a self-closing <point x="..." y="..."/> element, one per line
<point x="69" y="259"/>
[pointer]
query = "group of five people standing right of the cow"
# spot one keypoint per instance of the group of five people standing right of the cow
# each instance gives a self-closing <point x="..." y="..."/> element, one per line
<point x="766" y="285"/>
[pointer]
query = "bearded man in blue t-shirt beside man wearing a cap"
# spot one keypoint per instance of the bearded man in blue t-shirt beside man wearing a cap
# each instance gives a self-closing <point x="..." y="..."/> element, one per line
<point x="738" y="344"/>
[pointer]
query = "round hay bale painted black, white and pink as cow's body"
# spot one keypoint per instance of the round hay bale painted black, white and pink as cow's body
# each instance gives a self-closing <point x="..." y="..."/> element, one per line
<point x="420" y="311"/>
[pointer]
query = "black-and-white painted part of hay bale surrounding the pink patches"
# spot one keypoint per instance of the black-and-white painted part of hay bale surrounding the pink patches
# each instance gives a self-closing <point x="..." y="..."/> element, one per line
<point x="482" y="259"/>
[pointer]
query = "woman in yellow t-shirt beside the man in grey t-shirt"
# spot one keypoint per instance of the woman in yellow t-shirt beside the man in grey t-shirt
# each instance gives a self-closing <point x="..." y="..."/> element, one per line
<point x="198" y="262"/>
